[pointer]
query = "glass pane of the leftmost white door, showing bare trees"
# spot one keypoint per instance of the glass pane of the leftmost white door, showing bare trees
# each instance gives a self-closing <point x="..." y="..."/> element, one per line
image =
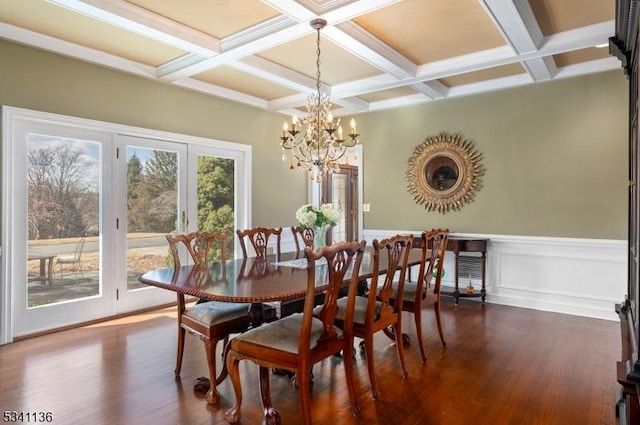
<point x="63" y="219"/>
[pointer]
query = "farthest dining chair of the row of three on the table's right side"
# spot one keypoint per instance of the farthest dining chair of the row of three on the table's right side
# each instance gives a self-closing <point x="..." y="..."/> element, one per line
<point x="425" y="290"/>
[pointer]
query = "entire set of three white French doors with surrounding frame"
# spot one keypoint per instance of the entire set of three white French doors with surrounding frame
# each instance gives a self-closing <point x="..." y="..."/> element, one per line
<point x="86" y="208"/>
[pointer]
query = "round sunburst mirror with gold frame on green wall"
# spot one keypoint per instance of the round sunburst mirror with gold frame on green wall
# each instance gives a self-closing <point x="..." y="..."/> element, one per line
<point x="448" y="150"/>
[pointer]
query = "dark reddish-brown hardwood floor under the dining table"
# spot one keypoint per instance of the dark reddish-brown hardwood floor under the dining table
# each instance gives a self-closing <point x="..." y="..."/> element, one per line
<point x="501" y="365"/>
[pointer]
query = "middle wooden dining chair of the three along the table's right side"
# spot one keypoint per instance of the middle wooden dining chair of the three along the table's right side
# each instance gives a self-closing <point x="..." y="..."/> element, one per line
<point x="378" y="311"/>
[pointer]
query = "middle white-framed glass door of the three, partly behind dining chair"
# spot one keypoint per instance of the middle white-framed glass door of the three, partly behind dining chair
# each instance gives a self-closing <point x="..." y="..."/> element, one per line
<point x="152" y="176"/>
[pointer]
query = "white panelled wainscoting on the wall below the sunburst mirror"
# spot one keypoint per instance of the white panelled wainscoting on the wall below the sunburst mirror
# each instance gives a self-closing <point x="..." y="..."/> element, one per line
<point x="584" y="277"/>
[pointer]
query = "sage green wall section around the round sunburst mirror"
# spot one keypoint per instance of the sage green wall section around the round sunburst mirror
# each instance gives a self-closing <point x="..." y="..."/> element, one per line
<point x="555" y="155"/>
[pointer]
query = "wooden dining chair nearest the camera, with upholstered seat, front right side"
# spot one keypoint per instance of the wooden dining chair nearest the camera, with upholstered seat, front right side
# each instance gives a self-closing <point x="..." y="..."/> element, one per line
<point x="296" y="342"/>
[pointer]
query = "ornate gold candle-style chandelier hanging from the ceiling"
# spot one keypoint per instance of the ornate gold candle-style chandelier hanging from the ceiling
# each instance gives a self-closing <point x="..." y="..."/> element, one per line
<point x="321" y="142"/>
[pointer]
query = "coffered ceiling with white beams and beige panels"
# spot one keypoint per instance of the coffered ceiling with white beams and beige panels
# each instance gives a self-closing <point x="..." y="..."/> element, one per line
<point x="375" y="54"/>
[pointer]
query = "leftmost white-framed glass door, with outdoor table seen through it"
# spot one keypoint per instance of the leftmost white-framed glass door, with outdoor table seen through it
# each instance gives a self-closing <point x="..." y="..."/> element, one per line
<point x="57" y="202"/>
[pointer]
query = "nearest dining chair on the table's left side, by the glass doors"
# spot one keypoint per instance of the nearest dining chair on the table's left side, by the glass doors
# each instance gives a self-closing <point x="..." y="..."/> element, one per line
<point x="211" y="321"/>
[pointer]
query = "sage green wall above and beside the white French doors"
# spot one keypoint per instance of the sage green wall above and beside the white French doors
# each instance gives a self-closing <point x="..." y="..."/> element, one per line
<point x="33" y="79"/>
